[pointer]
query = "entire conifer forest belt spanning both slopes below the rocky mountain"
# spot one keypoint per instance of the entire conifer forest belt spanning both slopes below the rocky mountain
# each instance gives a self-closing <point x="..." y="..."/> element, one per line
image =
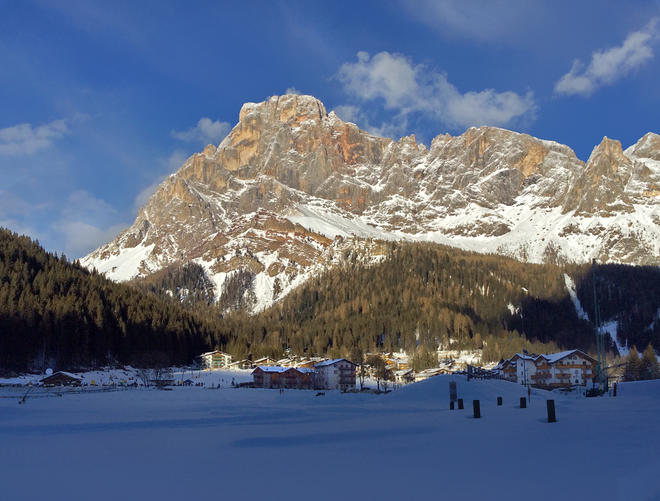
<point x="419" y="298"/>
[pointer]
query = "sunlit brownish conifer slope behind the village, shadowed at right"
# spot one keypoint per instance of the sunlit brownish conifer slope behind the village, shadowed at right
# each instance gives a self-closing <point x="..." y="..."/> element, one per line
<point x="424" y="296"/>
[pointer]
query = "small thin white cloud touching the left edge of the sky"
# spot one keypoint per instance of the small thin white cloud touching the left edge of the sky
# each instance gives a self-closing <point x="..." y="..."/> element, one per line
<point x="24" y="139"/>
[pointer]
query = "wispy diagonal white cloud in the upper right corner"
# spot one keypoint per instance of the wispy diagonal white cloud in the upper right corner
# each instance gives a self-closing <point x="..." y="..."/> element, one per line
<point x="609" y="65"/>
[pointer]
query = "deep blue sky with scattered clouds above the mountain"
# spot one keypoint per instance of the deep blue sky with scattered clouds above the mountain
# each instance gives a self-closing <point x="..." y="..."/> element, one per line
<point x="100" y="100"/>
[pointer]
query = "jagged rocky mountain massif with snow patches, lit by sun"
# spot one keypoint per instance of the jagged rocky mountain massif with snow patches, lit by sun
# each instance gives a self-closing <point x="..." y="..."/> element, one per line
<point x="279" y="197"/>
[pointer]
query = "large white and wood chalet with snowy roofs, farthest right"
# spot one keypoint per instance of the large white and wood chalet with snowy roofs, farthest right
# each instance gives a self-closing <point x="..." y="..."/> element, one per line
<point x="554" y="370"/>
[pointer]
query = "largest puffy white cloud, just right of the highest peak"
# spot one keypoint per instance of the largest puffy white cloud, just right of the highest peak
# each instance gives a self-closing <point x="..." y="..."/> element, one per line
<point x="409" y="88"/>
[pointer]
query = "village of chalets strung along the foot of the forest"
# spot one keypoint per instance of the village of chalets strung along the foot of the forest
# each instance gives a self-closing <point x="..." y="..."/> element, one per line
<point x="387" y="371"/>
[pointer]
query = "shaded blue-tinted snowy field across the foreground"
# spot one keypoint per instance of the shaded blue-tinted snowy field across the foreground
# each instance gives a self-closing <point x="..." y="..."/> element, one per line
<point x="196" y="442"/>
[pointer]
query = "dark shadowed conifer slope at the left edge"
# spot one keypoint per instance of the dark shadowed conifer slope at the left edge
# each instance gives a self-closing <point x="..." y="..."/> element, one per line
<point x="57" y="314"/>
